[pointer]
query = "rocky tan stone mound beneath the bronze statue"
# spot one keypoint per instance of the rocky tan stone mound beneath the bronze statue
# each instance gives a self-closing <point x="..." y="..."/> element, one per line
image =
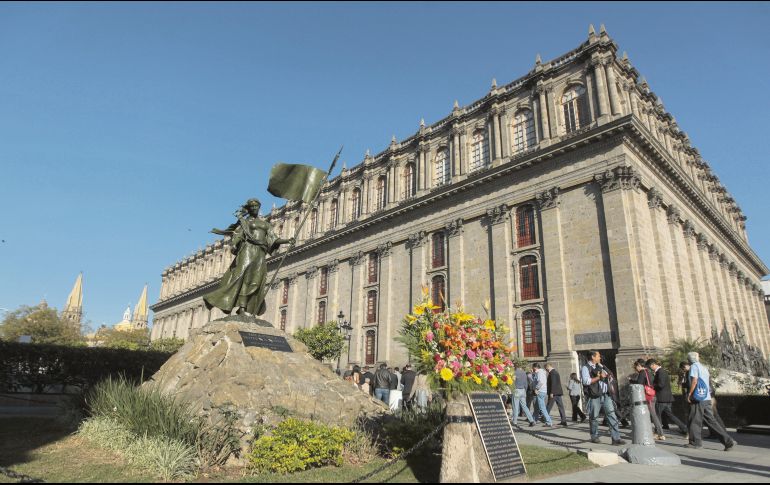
<point x="265" y="374"/>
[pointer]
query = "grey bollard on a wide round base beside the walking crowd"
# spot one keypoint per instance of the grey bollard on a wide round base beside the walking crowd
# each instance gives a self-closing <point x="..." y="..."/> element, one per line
<point x="644" y="451"/>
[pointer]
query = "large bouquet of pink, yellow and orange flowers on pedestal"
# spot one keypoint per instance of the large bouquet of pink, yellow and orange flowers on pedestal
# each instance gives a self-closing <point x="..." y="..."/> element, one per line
<point x="458" y="351"/>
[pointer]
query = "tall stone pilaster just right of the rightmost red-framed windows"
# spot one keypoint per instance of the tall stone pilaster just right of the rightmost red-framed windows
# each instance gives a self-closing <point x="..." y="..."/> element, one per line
<point x="553" y="267"/>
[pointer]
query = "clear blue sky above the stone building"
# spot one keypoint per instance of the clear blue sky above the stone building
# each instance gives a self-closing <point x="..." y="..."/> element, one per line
<point x="128" y="130"/>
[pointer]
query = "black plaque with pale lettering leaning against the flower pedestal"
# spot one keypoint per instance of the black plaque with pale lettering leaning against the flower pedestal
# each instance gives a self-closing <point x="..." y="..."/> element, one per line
<point x="497" y="436"/>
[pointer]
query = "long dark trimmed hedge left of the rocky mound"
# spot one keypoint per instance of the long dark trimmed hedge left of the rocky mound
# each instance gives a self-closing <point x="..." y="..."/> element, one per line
<point x="42" y="367"/>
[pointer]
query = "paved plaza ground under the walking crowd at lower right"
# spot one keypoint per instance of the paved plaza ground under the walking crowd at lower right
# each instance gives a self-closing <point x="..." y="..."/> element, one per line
<point x="747" y="462"/>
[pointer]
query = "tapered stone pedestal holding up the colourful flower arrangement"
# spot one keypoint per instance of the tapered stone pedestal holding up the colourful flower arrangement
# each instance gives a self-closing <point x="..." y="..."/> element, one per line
<point x="463" y="459"/>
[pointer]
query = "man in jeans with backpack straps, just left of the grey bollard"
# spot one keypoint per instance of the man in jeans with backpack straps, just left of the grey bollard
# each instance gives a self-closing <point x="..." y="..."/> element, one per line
<point x="594" y="377"/>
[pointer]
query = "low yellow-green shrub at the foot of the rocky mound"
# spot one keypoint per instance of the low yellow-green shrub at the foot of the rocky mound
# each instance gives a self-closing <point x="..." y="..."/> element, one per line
<point x="296" y="445"/>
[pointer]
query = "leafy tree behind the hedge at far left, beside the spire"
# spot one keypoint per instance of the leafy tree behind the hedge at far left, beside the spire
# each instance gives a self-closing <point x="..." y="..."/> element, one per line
<point x="42" y="324"/>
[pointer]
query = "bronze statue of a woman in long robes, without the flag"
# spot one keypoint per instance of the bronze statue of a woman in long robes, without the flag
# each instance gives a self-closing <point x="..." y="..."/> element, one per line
<point x="243" y="286"/>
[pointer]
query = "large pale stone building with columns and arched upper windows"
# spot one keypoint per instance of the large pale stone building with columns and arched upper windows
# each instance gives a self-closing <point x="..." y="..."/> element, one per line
<point x="635" y="243"/>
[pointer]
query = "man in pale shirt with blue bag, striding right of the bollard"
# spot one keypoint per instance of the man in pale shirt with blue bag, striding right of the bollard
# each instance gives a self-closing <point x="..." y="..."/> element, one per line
<point x="699" y="397"/>
